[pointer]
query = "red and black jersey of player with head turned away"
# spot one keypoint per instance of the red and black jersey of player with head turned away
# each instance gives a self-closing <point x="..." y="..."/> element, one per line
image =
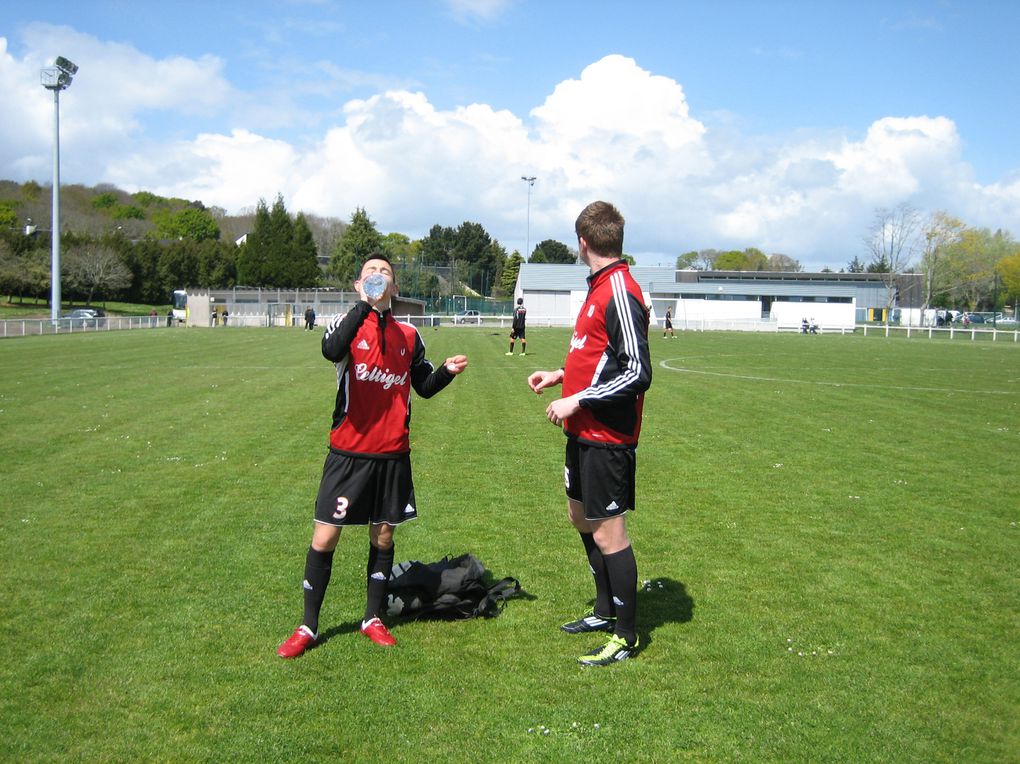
<point x="609" y="365"/>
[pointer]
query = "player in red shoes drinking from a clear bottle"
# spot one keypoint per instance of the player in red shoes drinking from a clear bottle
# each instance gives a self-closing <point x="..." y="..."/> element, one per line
<point x="367" y="479"/>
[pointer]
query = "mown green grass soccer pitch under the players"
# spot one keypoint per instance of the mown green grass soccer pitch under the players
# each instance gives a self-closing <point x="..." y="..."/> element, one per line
<point x="834" y="522"/>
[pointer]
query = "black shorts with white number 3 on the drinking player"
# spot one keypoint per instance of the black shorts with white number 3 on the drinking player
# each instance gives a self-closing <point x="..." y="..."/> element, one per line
<point x="359" y="491"/>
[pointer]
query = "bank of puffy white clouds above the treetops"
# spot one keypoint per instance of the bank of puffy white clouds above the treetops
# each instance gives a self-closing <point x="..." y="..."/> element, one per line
<point x="617" y="132"/>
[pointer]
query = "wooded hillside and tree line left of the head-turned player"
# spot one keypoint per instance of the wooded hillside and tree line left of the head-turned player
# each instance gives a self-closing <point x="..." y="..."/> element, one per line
<point x="140" y="247"/>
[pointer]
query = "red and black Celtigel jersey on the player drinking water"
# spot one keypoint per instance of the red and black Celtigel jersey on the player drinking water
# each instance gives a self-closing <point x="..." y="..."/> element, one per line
<point x="379" y="361"/>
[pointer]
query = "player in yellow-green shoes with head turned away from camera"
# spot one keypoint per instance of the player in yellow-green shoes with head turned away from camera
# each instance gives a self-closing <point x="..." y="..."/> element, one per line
<point x="607" y="372"/>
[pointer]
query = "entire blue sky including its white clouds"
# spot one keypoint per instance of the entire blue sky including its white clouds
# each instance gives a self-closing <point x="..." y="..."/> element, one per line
<point x="783" y="126"/>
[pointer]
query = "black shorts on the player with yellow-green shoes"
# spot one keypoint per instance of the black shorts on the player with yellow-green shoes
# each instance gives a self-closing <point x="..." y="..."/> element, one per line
<point x="602" y="480"/>
